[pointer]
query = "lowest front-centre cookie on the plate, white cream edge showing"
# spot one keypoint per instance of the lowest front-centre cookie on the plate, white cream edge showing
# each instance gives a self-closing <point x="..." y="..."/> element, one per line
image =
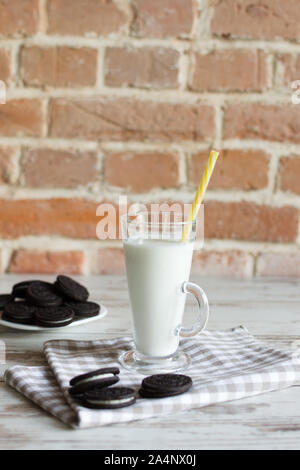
<point x="54" y="317"/>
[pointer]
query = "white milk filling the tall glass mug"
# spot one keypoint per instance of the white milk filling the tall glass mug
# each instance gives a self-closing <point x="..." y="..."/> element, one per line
<point x="156" y="271"/>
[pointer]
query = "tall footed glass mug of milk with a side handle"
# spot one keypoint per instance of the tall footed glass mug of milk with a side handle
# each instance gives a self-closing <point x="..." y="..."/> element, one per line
<point x="158" y="262"/>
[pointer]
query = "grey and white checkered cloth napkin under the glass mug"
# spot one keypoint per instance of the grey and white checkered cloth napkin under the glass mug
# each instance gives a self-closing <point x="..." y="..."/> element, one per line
<point x="226" y="365"/>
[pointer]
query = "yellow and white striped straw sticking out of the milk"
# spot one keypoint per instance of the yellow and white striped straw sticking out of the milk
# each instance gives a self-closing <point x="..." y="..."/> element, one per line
<point x="209" y="168"/>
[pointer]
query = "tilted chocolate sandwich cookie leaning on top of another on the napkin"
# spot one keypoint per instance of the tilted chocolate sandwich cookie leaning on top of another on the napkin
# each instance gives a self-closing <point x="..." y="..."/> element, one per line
<point x="98" y="378"/>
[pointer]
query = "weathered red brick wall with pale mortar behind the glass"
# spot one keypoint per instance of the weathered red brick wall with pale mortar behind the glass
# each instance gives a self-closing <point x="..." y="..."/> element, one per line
<point x="172" y="79"/>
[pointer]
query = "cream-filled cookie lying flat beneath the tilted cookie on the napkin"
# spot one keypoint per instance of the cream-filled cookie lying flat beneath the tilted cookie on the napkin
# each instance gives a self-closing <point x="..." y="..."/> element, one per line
<point x="109" y="398"/>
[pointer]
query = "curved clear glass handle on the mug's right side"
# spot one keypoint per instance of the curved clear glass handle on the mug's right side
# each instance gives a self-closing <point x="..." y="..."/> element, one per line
<point x="202" y="318"/>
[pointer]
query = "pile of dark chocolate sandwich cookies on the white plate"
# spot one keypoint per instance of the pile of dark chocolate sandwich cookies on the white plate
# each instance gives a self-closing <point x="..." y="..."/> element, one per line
<point x="47" y="305"/>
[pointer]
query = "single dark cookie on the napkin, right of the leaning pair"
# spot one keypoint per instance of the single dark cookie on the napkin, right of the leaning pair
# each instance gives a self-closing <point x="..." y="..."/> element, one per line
<point x="165" y="385"/>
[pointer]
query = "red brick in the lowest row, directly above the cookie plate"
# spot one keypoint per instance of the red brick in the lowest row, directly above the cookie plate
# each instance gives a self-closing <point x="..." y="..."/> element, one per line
<point x="46" y="262"/>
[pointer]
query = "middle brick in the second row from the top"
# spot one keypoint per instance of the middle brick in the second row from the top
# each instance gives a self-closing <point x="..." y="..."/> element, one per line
<point x="142" y="67"/>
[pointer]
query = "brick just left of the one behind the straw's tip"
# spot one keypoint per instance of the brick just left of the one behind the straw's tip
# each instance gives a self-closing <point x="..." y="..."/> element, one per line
<point x="141" y="172"/>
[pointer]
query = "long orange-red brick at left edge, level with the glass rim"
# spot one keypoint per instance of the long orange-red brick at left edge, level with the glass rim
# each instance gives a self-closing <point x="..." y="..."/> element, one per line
<point x="74" y="218"/>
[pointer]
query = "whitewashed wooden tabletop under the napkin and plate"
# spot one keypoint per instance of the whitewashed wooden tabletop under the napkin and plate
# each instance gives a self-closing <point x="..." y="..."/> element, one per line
<point x="269" y="309"/>
